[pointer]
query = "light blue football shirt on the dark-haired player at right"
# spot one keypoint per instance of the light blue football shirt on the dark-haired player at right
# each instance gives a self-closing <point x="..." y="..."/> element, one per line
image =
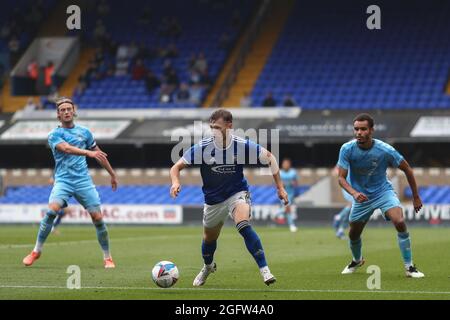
<point x="367" y="168"/>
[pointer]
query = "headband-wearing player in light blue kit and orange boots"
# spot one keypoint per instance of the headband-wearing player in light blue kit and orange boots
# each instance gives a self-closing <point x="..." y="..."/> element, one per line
<point x="70" y="145"/>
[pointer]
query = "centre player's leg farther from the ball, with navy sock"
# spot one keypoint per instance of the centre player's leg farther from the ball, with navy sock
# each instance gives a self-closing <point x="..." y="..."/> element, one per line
<point x="252" y="241"/>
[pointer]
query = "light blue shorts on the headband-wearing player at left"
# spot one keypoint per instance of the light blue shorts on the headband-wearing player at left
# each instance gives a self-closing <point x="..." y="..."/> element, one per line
<point x="84" y="192"/>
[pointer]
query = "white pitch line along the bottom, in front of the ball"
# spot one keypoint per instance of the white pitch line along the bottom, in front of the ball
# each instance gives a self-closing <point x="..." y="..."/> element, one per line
<point x="231" y="290"/>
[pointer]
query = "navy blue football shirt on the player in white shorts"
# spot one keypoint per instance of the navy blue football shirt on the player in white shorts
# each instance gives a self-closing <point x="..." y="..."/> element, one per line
<point x="222" y="168"/>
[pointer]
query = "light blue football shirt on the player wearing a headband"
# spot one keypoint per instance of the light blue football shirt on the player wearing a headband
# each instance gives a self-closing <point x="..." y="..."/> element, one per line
<point x="71" y="168"/>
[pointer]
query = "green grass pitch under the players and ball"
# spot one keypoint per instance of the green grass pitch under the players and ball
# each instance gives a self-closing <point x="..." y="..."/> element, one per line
<point x="307" y="264"/>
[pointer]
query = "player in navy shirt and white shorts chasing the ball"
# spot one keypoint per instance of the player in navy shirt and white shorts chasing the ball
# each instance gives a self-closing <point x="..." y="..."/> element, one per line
<point x="221" y="159"/>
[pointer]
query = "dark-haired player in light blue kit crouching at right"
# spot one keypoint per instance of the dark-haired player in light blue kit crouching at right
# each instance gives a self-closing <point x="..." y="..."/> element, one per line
<point x="366" y="159"/>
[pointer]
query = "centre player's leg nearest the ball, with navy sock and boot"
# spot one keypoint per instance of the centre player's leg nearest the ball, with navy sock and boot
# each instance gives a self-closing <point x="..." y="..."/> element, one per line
<point x="209" y="244"/>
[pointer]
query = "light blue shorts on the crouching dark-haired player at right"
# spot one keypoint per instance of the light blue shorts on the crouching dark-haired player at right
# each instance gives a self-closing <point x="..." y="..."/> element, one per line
<point x="362" y="211"/>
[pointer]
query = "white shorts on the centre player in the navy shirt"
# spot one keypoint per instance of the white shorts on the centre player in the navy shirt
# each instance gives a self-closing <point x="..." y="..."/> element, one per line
<point x="215" y="214"/>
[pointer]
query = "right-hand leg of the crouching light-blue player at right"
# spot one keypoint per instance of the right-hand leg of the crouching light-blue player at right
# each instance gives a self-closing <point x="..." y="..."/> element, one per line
<point x="404" y="241"/>
